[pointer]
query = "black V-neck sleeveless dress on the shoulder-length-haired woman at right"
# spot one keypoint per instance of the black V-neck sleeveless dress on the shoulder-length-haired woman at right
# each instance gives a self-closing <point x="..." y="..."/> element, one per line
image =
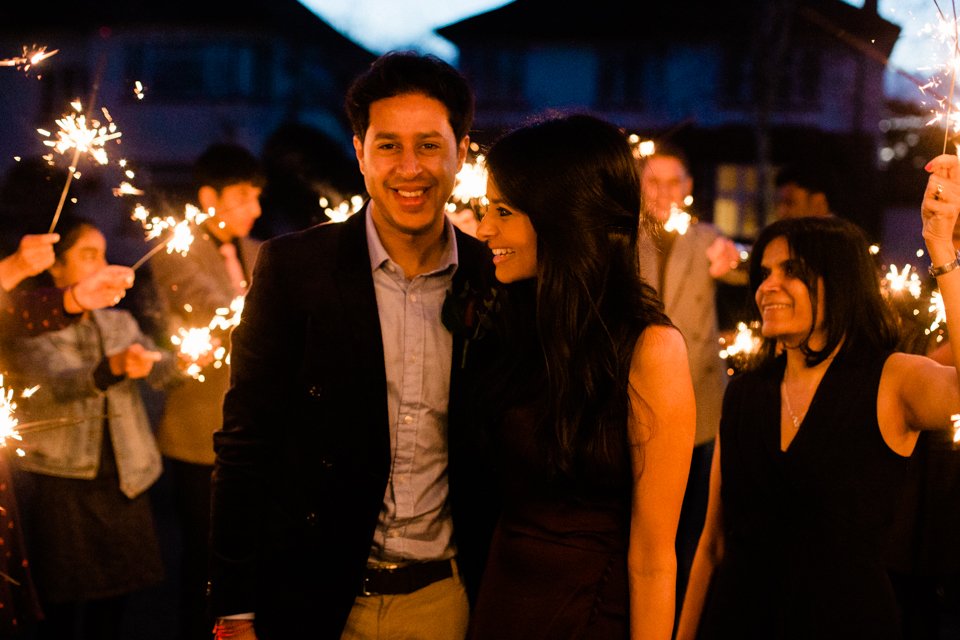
<point x="804" y="530"/>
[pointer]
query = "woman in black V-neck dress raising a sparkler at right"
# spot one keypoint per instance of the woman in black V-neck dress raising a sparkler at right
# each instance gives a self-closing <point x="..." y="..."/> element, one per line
<point x="815" y="441"/>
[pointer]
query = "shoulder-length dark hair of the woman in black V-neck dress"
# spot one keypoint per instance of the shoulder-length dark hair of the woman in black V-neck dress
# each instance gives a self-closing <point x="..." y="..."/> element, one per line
<point x="855" y="313"/>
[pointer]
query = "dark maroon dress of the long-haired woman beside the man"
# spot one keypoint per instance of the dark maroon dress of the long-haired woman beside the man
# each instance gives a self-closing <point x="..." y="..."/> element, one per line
<point x="557" y="567"/>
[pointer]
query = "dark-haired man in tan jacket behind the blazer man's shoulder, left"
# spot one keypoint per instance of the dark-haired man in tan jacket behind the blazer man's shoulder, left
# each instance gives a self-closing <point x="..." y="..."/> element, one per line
<point x="191" y="288"/>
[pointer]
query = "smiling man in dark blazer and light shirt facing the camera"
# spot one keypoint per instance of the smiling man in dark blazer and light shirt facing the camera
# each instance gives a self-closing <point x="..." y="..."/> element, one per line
<point x="333" y="515"/>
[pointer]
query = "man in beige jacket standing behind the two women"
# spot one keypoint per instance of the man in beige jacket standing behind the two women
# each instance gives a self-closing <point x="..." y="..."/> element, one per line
<point x="684" y="264"/>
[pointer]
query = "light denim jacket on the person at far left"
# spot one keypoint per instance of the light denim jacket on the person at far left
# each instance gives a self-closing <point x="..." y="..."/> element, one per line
<point x="62" y="363"/>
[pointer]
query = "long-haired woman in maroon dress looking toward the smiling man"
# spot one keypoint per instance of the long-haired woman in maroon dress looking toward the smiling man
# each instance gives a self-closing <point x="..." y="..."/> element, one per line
<point x="593" y="405"/>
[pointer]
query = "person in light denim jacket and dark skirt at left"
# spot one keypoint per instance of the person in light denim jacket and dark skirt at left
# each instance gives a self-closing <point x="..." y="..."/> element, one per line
<point x="87" y="515"/>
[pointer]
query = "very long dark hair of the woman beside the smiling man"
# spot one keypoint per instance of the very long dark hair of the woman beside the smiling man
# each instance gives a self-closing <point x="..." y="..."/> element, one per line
<point x="578" y="181"/>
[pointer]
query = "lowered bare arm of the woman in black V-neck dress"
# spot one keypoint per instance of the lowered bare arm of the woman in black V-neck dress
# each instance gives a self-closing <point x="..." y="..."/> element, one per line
<point x="708" y="556"/>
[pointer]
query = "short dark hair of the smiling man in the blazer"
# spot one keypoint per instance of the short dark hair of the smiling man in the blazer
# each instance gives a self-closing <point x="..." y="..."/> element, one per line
<point x="401" y="72"/>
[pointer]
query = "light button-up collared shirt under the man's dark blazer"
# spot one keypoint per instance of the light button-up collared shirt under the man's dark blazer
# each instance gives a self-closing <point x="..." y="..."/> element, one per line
<point x="415" y="521"/>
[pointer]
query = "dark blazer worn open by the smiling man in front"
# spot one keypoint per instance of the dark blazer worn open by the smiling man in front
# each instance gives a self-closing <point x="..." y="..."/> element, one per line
<point x="304" y="455"/>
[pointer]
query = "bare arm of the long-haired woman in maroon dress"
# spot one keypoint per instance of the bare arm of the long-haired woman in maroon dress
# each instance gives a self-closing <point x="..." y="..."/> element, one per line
<point x="661" y="433"/>
